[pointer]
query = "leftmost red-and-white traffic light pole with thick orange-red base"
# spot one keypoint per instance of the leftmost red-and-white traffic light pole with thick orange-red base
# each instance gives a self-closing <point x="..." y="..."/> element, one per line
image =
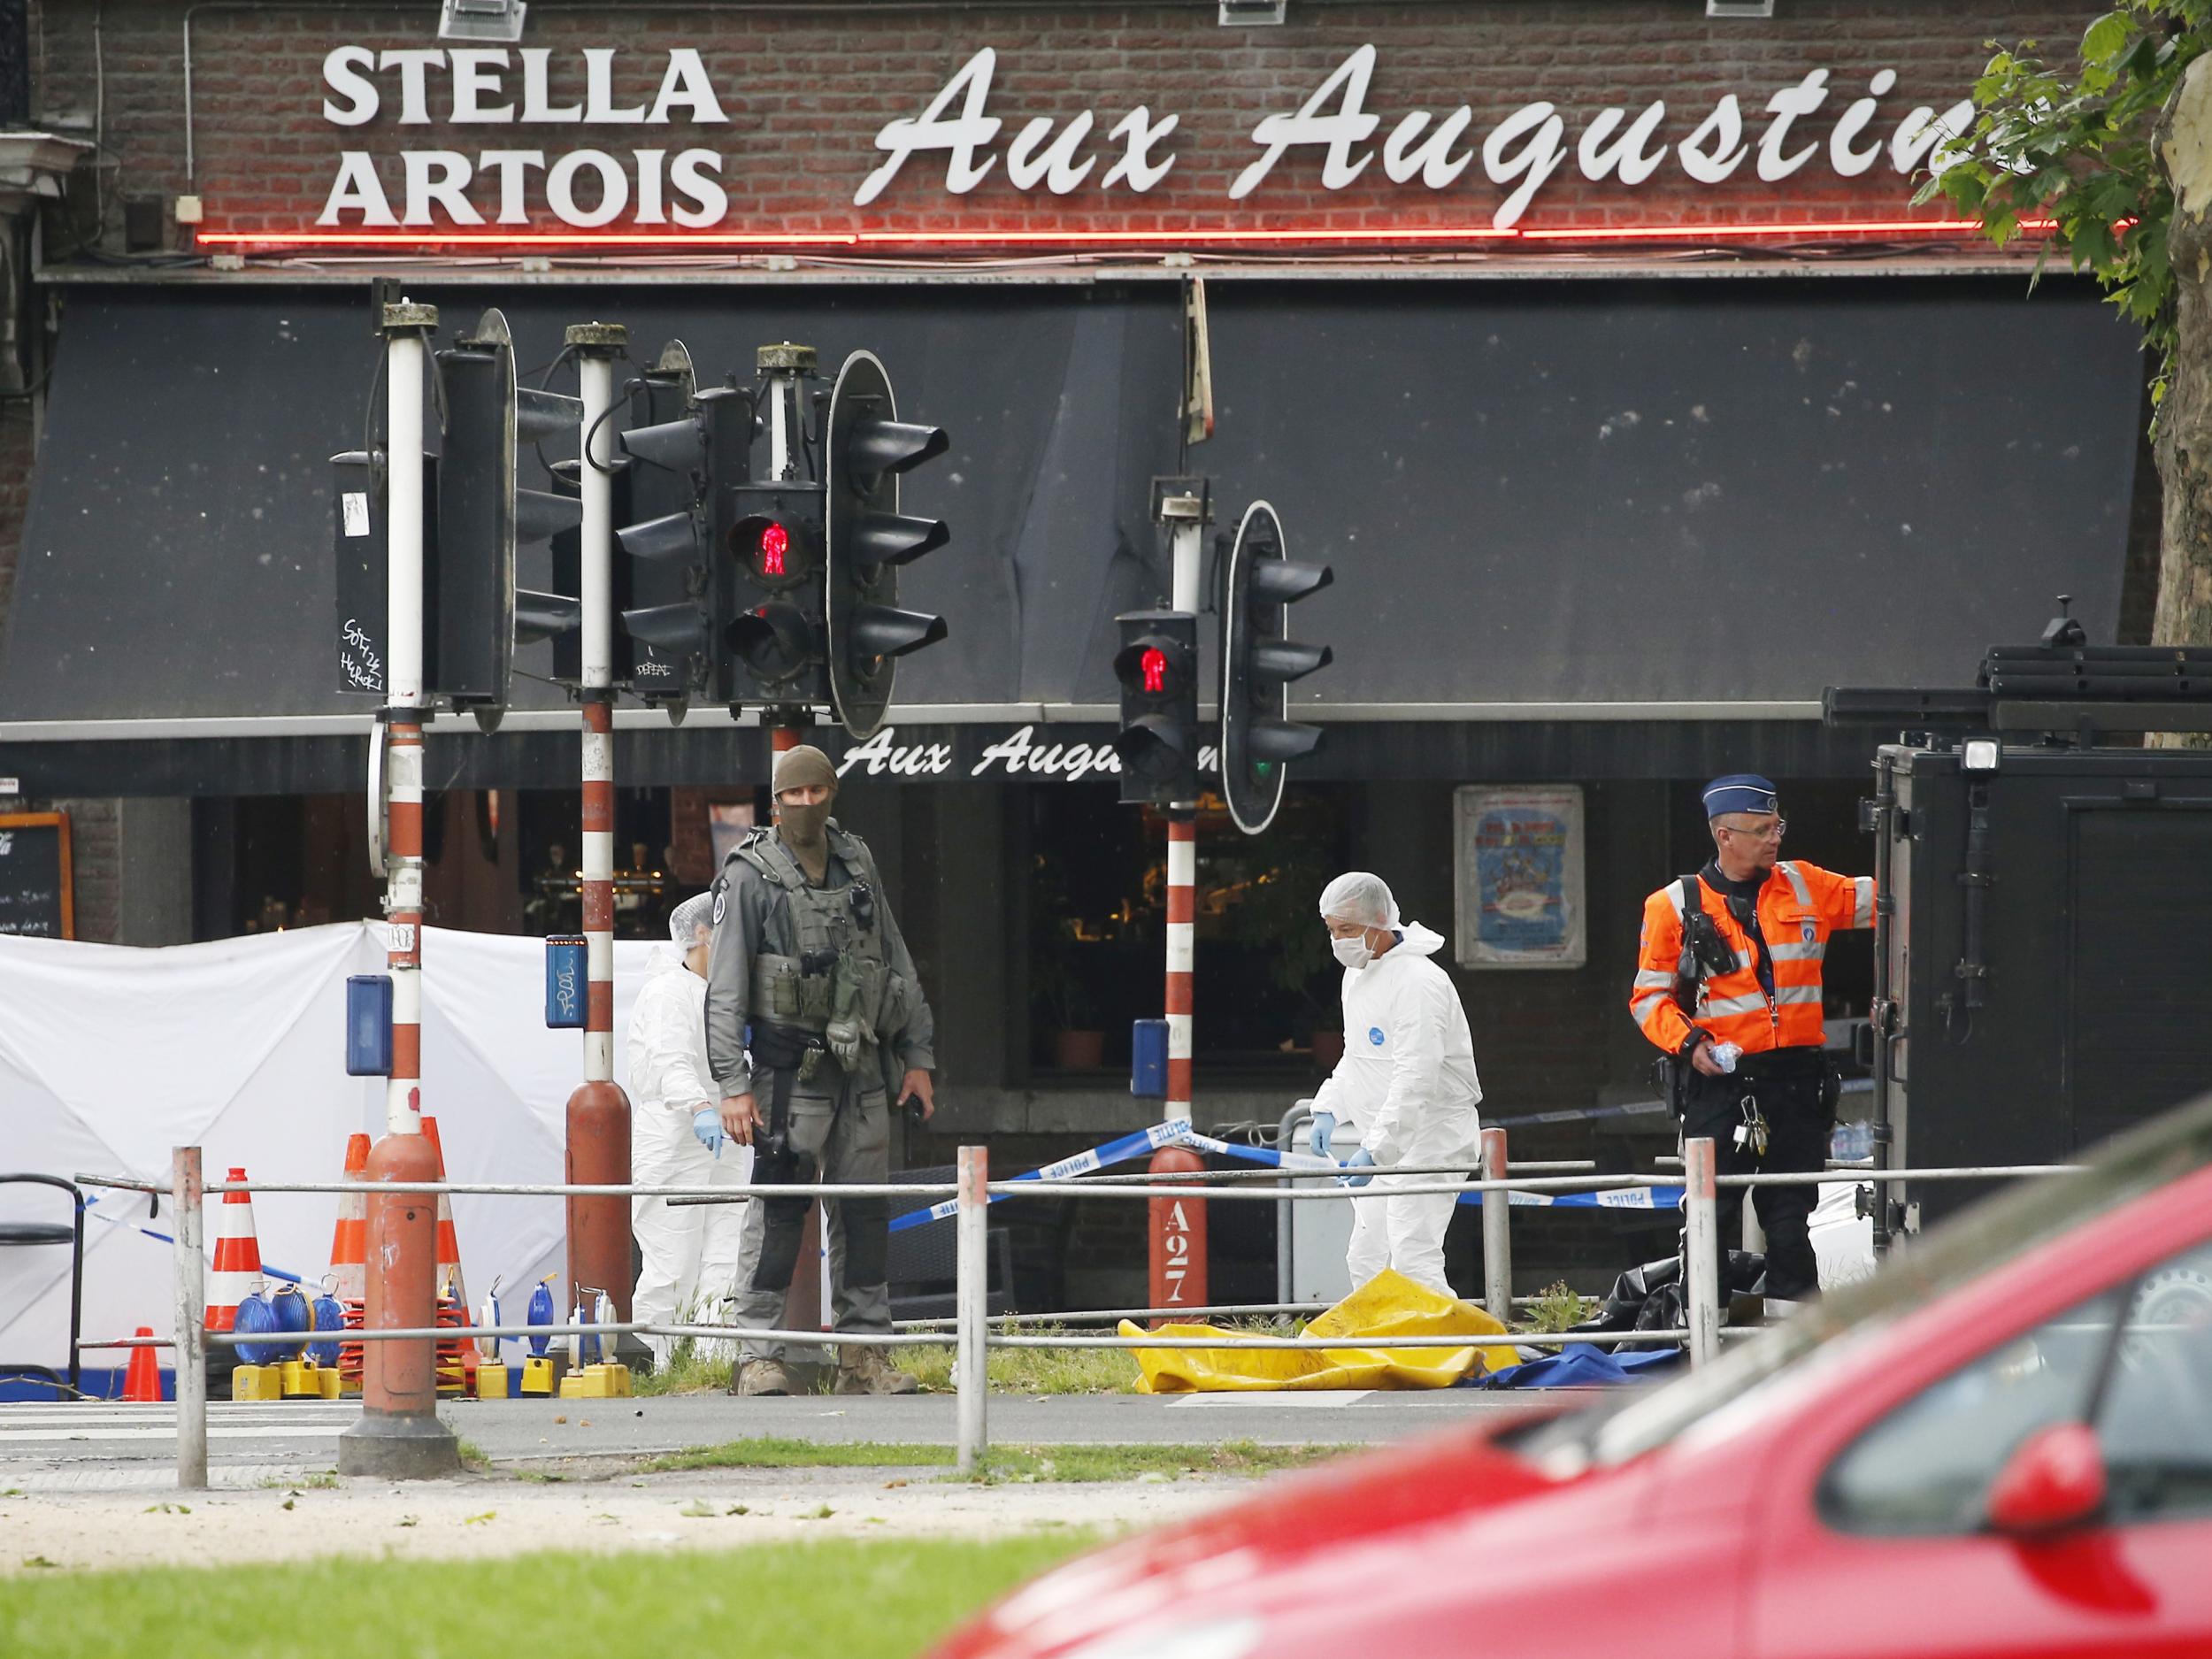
<point x="399" y="1434"/>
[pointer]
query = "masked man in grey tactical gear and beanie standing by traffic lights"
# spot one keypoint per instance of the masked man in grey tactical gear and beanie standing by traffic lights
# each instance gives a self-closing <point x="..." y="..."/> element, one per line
<point x="806" y="952"/>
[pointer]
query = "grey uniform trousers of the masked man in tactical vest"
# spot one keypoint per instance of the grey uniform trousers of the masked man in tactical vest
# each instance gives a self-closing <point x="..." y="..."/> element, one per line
<point x="851" y="1142"/>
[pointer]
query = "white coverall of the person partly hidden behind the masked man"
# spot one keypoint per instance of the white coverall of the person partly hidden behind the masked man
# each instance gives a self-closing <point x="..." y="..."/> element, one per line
<point x="689" y="1253"/>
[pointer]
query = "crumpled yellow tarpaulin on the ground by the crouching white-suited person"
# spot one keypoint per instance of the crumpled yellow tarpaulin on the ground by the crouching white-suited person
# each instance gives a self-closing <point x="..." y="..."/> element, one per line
<point x="1386" y="1306"/>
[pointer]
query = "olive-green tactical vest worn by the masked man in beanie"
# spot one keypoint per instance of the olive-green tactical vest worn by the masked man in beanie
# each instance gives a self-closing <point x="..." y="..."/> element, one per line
<point x="842" y="966"/>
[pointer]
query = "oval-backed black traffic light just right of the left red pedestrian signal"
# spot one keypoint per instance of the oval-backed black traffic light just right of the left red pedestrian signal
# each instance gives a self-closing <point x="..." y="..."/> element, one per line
<point x="866" y="541"/>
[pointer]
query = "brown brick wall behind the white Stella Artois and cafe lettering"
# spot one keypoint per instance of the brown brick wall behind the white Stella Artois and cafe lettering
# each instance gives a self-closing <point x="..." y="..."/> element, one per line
<point x="806" y="98"/>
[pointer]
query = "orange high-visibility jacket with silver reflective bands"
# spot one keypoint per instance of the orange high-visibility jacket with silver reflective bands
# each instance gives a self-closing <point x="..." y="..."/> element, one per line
<point x="1797" y="910"/>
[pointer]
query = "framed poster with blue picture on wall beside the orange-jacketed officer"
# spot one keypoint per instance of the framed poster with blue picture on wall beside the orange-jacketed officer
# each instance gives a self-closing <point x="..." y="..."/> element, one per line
<point x="1519" y="877"/>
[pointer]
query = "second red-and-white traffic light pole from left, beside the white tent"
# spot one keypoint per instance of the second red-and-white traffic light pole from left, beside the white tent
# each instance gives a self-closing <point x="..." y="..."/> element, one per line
<point x="598" y="1112"/>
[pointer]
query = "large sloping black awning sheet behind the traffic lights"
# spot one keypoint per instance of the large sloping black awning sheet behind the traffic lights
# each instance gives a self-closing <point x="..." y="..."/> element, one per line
<point x="1678" y="497"/>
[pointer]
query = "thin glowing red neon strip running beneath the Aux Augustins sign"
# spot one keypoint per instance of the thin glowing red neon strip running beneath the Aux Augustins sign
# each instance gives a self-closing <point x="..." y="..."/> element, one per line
<point x="1087" y="238"/>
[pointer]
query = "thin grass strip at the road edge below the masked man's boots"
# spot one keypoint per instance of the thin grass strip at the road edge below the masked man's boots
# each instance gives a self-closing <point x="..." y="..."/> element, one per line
<point x="1001" y="1463"/>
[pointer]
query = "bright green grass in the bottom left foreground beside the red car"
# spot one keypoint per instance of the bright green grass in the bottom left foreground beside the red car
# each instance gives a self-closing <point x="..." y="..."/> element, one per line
<point x="826" y="1600"/>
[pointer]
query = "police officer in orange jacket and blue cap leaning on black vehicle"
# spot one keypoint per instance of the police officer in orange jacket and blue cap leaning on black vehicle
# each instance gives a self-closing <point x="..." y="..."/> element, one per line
<point x="1751" y="979"/>
